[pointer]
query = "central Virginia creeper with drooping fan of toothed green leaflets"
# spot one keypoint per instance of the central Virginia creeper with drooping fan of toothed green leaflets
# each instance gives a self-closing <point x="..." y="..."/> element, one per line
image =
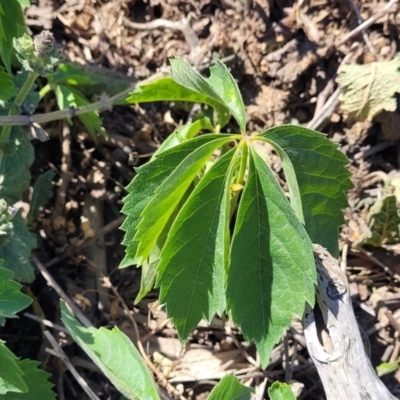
<point x="212" y="228"/>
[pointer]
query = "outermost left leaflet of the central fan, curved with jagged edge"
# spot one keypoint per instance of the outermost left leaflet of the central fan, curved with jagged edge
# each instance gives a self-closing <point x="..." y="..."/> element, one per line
<point x="142" y="188"/>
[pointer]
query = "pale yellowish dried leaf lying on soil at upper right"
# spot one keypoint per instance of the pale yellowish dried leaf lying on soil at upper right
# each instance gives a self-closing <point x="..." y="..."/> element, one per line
<point x="368" y="89"/>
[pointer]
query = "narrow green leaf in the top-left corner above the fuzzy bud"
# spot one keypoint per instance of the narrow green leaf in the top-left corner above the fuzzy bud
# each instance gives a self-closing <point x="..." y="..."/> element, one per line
<point x="12" y="25"/>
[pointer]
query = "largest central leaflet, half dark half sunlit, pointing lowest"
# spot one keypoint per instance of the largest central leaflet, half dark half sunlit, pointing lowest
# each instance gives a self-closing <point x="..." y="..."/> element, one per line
<point x="272" y="272"/>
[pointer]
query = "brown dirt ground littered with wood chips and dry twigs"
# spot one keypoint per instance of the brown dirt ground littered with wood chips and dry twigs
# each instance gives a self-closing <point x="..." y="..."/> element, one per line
<point x="285" y="56"/>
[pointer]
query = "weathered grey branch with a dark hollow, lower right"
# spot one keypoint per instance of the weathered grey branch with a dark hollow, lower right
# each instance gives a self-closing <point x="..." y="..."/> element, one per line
<point x="334" y="341"/>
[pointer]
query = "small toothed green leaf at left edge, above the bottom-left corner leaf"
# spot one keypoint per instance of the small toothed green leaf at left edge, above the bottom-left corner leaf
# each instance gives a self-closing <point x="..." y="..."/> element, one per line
<point x="12" y="300"/>
